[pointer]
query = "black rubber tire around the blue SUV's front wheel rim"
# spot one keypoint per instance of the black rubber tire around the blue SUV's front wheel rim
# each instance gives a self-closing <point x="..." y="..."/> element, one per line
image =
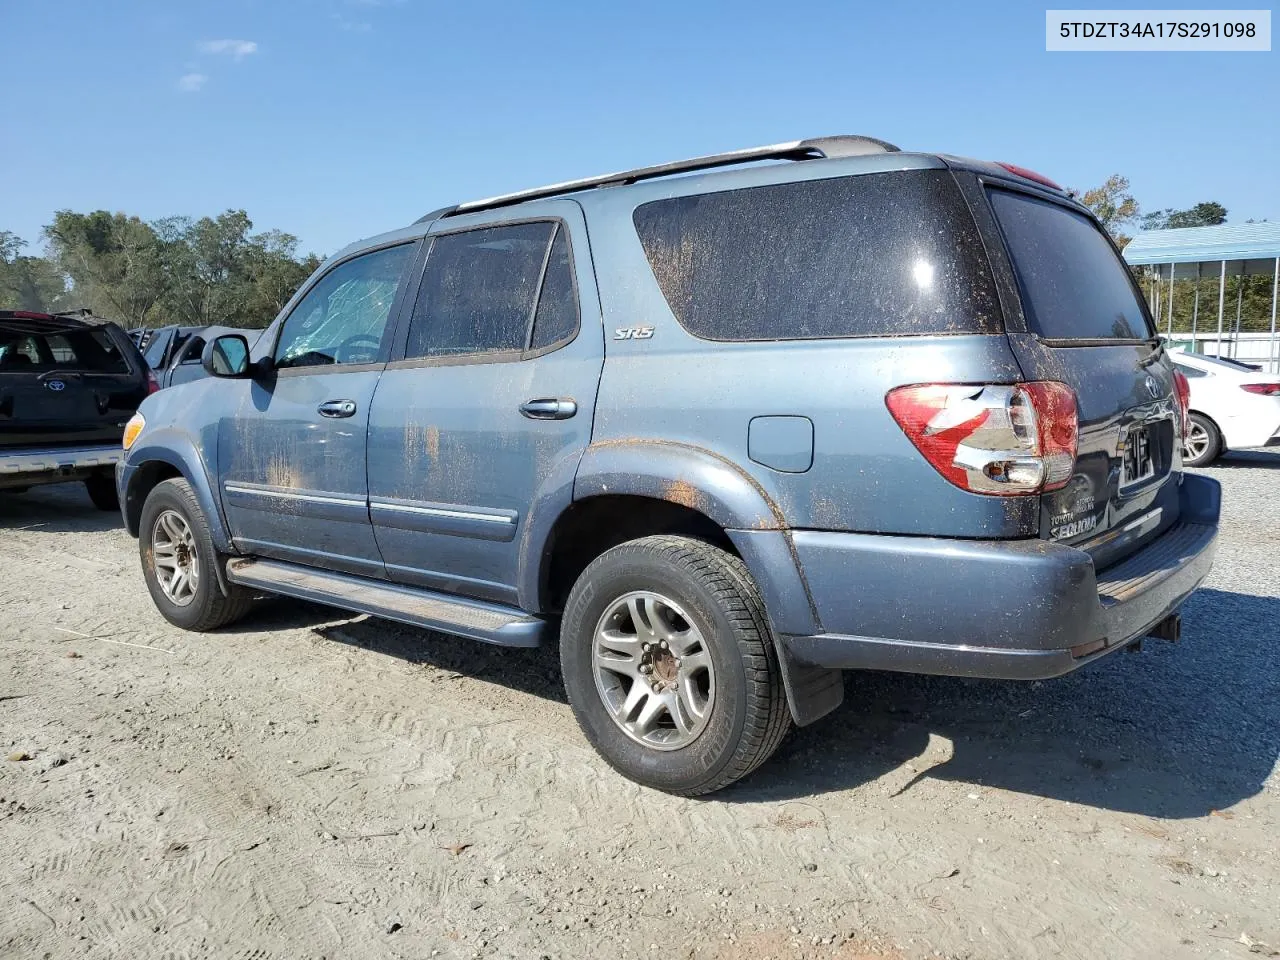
<point x="209" y="609"/>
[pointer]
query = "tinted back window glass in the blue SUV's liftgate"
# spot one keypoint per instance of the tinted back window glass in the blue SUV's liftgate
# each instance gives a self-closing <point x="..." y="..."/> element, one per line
<point x="1075" y="287"/>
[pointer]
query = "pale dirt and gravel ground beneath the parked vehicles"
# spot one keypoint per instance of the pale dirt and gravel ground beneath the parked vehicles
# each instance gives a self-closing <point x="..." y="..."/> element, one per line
<point x="312" y="785"/>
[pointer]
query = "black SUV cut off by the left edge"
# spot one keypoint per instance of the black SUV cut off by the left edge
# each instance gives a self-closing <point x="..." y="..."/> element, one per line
<point x="68" y="386"/>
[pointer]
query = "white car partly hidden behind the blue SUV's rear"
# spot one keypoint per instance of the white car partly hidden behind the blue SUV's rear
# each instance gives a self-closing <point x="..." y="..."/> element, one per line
<point x="1233" y="406"/>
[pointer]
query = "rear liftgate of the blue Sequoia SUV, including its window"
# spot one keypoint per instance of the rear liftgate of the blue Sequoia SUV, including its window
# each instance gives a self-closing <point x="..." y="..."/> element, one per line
<point x="1075" y="314"/>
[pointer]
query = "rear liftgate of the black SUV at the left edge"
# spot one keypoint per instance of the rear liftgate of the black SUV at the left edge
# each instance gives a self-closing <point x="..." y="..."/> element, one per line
<point x="66" y="385"/>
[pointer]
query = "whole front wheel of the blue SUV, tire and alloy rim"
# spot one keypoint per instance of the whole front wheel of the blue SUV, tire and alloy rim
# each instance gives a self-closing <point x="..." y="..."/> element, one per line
<point x="180" y="561"/>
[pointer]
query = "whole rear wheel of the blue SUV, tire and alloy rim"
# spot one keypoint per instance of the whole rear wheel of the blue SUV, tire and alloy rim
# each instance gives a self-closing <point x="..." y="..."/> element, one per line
<point x="670" y="665"/>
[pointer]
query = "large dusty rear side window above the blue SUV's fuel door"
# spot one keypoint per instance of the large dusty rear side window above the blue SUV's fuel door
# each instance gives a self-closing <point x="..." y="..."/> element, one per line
<point x="885" y="254"/>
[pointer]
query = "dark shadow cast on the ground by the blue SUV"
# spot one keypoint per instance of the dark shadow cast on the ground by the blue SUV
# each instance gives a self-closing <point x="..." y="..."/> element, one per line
<point x="1176" y="732"/>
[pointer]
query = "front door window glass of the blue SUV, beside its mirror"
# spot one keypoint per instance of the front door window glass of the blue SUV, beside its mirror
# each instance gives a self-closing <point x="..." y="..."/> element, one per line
<point x="344" y="318"/>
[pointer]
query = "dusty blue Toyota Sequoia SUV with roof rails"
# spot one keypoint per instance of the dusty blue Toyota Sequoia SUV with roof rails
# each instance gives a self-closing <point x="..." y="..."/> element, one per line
<point x="724" y="435"/>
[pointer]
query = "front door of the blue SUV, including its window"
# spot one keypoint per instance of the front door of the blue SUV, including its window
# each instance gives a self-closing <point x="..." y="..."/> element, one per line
<point x="292" y="452"/>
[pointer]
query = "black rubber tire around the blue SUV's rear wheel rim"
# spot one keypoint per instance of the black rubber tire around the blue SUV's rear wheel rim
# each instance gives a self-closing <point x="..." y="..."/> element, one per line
<point x="749" y="715"/>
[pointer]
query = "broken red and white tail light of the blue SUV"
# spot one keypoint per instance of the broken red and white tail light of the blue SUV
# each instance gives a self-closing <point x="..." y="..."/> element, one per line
<point x="1004" y="441"/>
